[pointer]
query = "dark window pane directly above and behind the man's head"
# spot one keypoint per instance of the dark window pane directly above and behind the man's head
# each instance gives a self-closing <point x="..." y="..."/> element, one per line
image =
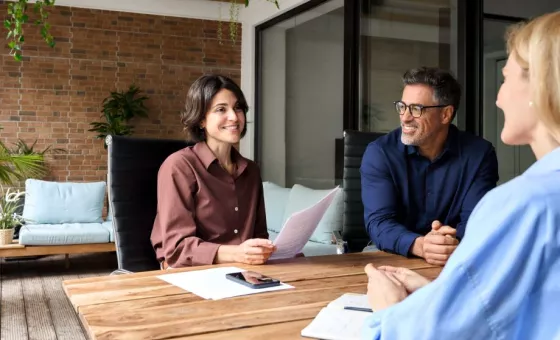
<point x="397" y="36"/>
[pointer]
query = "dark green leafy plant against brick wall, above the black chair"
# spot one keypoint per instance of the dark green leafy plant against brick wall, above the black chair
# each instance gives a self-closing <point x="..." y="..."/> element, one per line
<point x="118" y="109"/>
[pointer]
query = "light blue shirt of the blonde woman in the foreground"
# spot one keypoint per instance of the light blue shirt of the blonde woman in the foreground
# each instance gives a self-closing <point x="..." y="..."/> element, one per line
<point x="503" y="281"/>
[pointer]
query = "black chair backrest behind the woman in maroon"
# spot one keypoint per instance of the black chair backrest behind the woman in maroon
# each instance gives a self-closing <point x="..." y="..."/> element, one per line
<point x="132" y="181"/>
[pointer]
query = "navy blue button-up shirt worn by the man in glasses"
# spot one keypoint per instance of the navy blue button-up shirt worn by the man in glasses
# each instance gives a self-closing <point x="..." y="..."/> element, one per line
<point x="403" y="192"/>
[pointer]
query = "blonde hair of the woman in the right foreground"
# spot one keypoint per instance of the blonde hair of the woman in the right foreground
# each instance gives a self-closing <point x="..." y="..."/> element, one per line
<point x="536" y="47"/>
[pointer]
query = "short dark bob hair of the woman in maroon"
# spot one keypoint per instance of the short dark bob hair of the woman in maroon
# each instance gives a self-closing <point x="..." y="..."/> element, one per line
<point x="199" y="99"/>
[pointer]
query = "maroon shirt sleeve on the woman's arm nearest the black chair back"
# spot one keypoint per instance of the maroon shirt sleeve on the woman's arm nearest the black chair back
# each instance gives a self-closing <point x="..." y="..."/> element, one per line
<point x="175" y="223"/>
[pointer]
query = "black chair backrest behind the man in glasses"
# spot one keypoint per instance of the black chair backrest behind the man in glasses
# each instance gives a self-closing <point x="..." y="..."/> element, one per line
<point x="353" y="227"/>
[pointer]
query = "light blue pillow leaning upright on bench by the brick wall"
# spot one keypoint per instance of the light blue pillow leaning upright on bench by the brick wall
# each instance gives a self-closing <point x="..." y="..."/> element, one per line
<point x="63" y="202"/>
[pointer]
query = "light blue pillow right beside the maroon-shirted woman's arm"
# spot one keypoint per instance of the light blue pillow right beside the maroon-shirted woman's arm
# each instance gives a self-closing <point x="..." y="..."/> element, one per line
<point x="275" y="200"/>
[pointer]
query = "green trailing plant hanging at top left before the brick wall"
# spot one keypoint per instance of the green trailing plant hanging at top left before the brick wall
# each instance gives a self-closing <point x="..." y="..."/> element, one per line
<point x="18" y="16"/>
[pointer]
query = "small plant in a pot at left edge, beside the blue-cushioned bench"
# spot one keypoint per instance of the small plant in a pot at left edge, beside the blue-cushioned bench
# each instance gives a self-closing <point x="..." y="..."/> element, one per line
<point x="9" y="217"/>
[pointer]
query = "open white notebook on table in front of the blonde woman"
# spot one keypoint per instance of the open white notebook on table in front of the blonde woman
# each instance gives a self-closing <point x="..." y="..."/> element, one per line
<point x="336" y="323"/>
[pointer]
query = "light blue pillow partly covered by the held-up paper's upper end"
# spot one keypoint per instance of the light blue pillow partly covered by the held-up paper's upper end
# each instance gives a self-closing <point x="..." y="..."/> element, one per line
<point x="302" y="197"/>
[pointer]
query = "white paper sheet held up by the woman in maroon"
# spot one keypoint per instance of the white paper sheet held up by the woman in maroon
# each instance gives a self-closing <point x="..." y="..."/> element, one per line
<point x="299" y="227"/>
